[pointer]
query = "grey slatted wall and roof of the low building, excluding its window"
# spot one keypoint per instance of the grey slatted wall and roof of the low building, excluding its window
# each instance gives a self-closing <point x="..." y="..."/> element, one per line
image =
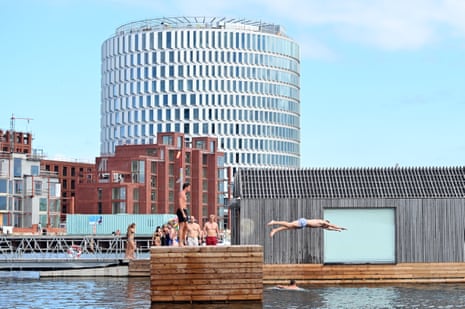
<point x="429" y="208"/>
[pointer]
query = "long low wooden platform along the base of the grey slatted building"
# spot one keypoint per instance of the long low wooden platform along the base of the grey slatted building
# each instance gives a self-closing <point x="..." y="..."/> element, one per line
<point x="365" y="274"/>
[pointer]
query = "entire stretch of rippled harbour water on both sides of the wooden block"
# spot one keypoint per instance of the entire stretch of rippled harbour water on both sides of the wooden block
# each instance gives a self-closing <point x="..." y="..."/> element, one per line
<point x="135" y="293"/>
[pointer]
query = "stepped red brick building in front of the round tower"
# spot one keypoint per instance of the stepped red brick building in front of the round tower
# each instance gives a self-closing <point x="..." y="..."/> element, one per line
<point x="146" y="179"/>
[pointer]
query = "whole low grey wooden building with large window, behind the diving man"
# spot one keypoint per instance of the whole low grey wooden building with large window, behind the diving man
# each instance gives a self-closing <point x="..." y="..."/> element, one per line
<point x="393" y="215"/>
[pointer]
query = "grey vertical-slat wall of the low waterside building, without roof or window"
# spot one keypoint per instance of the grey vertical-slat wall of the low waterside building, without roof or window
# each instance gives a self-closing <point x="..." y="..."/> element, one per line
<point x="426" y="230"/>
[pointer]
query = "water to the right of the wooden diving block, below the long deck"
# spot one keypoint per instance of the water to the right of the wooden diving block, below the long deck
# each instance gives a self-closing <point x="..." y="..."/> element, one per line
<point x="345" y="296"/>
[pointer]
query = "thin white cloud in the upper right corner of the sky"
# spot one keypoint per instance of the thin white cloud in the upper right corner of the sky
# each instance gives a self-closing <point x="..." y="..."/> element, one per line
<point x="394" y="24"/>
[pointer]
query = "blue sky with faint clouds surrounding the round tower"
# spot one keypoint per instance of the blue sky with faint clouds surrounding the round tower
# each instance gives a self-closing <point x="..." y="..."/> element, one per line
<point x="382" y="82"/>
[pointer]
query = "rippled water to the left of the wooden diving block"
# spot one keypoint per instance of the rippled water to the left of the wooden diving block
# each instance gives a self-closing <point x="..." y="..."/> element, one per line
<point x="76" y="293"/>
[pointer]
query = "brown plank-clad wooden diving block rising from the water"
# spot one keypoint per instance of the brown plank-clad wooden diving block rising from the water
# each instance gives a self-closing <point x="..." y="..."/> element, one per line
<point x="206" y="274"/>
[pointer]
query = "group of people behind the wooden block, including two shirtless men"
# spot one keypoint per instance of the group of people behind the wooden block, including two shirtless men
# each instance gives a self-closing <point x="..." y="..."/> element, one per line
<point x="169" y="233"/>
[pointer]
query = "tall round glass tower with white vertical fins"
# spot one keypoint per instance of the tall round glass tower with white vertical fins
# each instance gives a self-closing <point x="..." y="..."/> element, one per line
<point x="237" y="80"/>
